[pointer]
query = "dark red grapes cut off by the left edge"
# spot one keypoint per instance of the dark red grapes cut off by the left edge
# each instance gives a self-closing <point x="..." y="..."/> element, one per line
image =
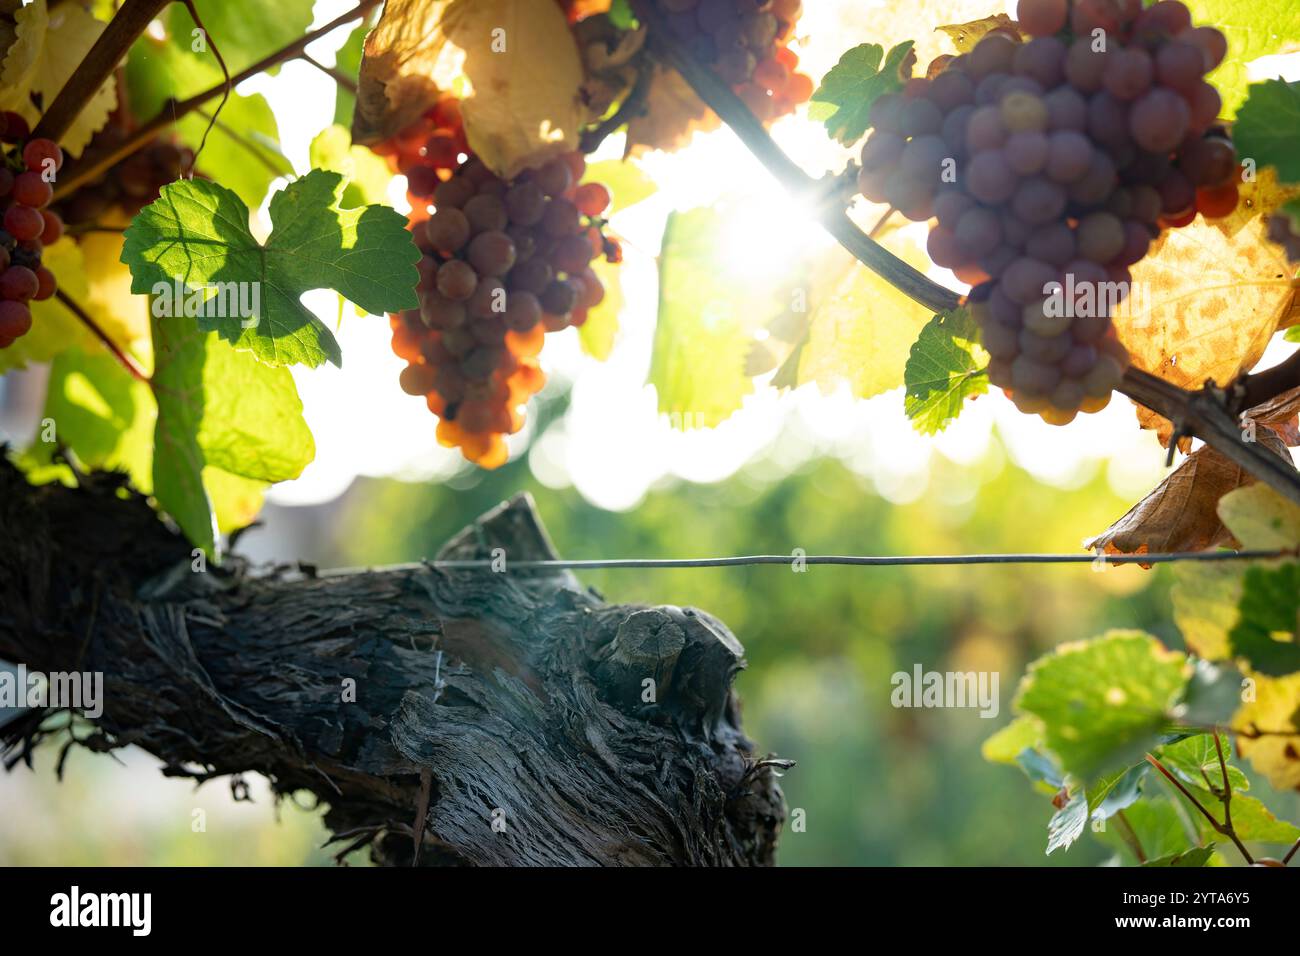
<point x="27" y="227"/>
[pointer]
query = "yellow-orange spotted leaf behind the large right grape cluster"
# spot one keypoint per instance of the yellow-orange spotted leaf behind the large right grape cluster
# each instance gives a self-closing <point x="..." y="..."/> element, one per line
<point x="1206" y="305"/>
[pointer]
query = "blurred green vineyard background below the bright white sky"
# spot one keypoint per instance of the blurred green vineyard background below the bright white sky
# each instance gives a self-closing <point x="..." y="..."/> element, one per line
<point x="879" y="786"/>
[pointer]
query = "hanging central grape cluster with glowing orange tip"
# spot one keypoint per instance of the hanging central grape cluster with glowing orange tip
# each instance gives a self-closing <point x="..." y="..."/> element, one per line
<point x="504" y="265"/>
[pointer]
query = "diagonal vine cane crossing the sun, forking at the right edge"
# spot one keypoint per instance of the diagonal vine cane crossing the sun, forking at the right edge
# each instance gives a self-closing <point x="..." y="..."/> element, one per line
<point x="1208" y="414"/>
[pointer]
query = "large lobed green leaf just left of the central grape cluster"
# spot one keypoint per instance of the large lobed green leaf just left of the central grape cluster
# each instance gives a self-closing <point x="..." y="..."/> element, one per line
<point x="197" y="235"/>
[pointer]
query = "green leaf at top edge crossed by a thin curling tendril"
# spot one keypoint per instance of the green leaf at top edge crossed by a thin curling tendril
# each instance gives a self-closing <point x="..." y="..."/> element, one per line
<point x="245" y="32"/>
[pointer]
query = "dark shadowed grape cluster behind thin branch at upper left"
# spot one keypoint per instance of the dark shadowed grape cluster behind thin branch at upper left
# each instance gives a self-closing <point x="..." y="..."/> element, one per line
<point x="129" y="187"/>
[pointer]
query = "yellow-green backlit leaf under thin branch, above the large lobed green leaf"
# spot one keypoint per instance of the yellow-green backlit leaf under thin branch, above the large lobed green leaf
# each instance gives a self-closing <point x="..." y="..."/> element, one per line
<point x="244" y="146"/>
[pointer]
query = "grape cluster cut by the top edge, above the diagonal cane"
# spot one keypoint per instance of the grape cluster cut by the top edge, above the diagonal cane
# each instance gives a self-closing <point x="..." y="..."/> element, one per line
<point x="746" y="44"/>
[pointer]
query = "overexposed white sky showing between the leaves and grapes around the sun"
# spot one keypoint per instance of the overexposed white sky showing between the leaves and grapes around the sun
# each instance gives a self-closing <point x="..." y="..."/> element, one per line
<point x="613" y="445"/>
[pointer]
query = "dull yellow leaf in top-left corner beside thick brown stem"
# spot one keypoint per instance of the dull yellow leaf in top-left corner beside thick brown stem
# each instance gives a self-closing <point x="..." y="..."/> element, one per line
<point x="47" y="47"/>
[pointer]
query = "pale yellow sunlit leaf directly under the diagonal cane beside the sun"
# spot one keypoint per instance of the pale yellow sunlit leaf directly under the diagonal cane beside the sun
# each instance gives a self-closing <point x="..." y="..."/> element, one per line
<point x="861" y="328"/>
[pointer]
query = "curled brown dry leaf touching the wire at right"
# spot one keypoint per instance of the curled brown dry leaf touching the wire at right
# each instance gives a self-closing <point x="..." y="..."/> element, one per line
<point x="1180" y="514"/>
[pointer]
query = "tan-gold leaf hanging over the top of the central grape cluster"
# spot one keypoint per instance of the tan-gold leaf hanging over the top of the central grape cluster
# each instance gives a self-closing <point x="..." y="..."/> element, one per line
<point x="514" y="64"/>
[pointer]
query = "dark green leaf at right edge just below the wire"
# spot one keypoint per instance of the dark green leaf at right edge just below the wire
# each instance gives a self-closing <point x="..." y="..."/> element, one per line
<point x="1268" y="628"/>
